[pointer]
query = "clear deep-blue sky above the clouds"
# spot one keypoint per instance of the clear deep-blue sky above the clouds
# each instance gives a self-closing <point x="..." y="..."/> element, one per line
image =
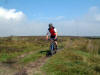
<point x="34" y="9"/>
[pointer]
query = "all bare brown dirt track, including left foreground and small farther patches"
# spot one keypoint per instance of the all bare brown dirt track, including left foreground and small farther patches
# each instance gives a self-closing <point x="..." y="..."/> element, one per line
<point x="33" y="68"/>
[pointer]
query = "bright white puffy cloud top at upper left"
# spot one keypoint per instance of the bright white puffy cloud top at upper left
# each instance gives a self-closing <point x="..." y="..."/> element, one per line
<point x="11" y="14"/>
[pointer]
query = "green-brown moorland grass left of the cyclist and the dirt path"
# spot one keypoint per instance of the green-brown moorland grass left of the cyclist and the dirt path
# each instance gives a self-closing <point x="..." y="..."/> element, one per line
<point x="12" y="47"/>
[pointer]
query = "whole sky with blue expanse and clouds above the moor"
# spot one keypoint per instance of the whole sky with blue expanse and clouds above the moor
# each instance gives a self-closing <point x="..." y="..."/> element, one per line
<point x="31" y="17"/>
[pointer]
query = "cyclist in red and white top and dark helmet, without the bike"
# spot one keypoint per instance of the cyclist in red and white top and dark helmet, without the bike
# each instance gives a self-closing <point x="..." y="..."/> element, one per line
<point x="53" y="33"/>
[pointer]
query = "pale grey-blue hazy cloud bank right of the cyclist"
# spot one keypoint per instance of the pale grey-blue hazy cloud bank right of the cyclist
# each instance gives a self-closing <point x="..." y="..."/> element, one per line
<point x="87" y="25"/>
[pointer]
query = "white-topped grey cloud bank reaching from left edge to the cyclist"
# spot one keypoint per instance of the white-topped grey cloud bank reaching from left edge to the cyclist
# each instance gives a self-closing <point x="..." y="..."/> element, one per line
<point x="14" y="22"/>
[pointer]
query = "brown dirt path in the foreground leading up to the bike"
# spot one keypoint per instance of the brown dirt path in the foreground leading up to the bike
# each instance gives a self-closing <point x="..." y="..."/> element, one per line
<point x="34" y="68"/>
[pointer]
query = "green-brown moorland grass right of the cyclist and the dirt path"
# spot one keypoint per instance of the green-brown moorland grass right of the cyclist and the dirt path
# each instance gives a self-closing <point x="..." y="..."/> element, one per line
<point x="80" y="56"/>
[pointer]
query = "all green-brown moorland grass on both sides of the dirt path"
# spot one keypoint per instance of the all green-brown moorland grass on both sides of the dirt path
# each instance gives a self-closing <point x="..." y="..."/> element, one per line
<point x="79" y="56"/>
